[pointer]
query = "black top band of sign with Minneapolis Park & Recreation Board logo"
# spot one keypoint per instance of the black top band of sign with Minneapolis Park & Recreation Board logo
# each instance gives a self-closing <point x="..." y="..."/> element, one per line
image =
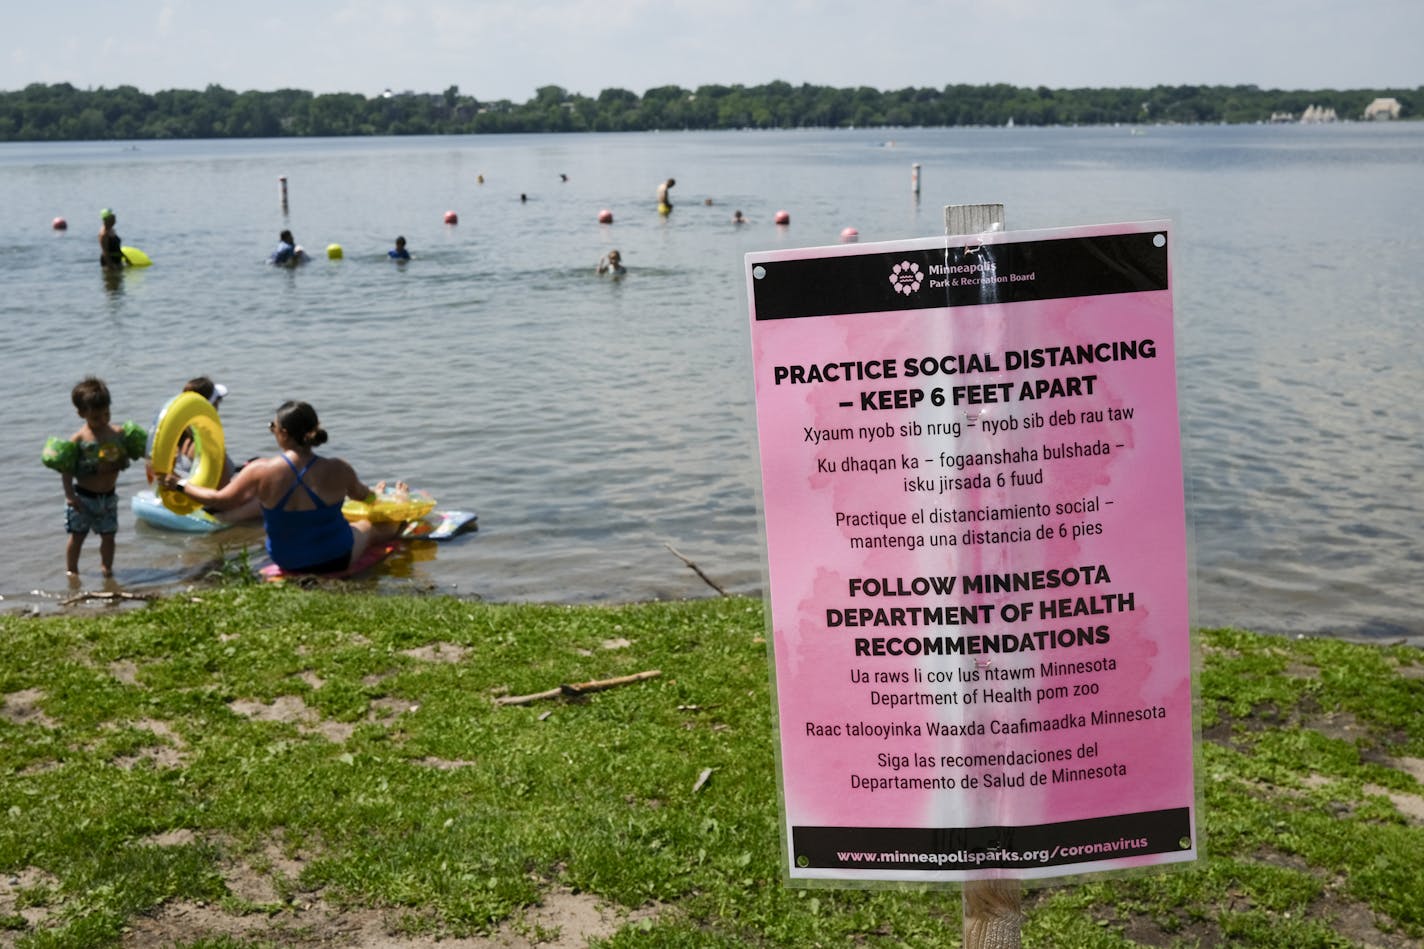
<point x="970" y="276"/>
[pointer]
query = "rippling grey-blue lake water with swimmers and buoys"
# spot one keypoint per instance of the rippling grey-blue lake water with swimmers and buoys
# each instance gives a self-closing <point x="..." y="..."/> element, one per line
<point x="595" y="424"/>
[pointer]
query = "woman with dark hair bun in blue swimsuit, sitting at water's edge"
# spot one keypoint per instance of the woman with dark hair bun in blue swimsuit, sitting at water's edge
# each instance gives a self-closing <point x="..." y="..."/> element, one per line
<point x="301" y="495"/>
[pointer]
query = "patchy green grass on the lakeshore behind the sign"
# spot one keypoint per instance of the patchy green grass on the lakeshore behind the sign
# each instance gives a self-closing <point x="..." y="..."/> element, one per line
<point x="145" y="760"/>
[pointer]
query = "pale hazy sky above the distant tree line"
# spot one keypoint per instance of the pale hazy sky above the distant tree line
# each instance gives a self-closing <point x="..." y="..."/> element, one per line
<point x="508" y="49"/>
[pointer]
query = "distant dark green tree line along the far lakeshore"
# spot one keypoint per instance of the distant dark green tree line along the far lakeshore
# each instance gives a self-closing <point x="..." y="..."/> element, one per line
<point x="63" y="113"/>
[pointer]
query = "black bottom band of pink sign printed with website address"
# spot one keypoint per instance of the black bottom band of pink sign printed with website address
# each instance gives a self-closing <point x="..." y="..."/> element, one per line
<point x="992" y="847"/>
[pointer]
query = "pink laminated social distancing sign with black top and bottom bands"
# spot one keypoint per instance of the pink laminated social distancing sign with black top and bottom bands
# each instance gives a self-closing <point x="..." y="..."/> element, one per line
<point x="976" y="555"/>
